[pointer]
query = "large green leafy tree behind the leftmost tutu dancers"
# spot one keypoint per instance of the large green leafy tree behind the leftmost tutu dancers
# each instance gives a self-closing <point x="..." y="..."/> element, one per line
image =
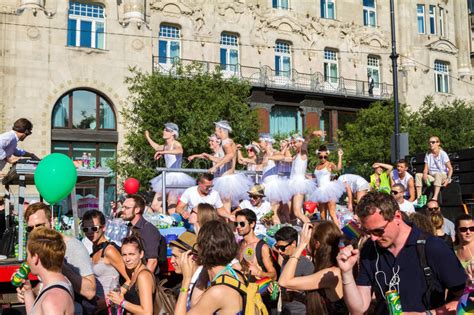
<point x="193" y="99"/>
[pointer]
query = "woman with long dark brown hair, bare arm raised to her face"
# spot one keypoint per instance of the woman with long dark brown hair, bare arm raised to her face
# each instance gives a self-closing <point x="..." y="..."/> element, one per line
<point x="325" y="284"/>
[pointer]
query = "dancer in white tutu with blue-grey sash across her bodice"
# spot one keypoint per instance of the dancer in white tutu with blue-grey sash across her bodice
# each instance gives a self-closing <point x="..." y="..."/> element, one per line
<point x="276" y="188"/>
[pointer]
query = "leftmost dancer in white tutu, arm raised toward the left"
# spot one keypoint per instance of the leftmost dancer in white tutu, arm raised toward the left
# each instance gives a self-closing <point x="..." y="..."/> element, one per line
<point x="172" y="151"/>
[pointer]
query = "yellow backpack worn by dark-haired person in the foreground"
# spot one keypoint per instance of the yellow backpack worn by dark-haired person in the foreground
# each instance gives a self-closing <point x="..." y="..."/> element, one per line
<point x="252" y="301"/>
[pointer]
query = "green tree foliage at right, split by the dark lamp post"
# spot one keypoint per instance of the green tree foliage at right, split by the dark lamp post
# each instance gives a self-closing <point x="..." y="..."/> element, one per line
<point x="367" y="140"/>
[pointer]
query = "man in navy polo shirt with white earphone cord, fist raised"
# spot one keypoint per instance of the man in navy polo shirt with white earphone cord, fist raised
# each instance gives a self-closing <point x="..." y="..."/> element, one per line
<point x="390" y="260"/>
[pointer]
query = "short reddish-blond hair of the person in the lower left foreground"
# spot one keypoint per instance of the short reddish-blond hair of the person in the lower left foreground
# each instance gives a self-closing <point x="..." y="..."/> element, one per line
<point x="49" y="246"/>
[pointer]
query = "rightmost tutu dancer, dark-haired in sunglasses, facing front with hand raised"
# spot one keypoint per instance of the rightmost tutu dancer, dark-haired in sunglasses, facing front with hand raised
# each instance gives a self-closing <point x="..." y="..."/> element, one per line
<point x="328" y="192"/>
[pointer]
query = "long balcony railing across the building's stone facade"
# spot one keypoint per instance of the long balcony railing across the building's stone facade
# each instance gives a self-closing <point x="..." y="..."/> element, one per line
<point x="265" y="76"/>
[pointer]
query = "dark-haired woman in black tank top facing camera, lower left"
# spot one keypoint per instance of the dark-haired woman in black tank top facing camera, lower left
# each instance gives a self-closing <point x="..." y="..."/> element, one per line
<point x="138" y="298"/>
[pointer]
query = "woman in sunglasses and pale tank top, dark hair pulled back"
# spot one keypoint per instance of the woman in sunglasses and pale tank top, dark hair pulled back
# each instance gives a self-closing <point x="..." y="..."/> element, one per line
<point x="107" y="262"/>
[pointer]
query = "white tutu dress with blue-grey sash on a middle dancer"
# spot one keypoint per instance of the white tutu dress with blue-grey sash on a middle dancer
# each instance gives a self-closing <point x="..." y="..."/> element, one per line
<point x="276" y="187"/>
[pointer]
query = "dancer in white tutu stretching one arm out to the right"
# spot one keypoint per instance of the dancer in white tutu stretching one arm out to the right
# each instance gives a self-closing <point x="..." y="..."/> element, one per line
<point x="298" y="183"/>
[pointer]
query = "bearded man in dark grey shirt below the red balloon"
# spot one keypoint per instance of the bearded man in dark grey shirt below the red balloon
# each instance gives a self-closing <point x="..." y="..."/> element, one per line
<point x="132" y="211"/>
